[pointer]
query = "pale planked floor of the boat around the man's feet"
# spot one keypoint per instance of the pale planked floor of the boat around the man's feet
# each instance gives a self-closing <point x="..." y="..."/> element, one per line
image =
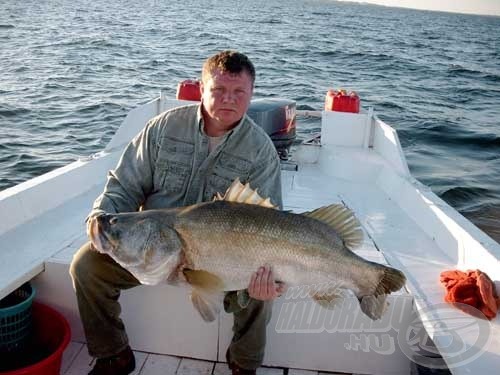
<point x="76" y="361"/>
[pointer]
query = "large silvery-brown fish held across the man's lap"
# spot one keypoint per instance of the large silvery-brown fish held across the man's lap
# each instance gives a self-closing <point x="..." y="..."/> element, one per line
<point x="216" y="246"/>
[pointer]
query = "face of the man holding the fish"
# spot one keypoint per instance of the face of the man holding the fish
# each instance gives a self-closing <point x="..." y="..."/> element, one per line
<point x="226" y="97"/>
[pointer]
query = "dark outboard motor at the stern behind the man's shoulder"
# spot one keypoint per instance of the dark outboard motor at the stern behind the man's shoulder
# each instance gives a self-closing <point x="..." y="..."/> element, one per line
<point x="277" y="117"/>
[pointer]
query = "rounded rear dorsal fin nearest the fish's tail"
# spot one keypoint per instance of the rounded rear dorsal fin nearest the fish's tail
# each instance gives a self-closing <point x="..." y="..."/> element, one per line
<point x="342" y="220"/>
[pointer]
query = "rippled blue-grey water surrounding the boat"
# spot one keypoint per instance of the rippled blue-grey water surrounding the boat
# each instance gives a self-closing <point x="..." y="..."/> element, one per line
<point x="70" y="71"/>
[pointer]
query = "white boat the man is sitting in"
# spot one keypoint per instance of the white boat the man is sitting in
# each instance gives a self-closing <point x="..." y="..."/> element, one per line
<point x="359" y="162"/>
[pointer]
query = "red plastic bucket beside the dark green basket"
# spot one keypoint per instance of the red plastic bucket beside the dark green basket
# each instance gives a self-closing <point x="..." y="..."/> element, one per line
<point x="51" y="335"/>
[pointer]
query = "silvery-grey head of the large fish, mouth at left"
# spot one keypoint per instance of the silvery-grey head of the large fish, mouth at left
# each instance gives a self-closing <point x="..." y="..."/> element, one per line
<point x="144" y="243"/>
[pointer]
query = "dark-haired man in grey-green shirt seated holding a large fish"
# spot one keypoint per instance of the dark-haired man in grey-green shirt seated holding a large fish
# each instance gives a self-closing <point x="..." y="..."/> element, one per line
<point x="182" y="157"/>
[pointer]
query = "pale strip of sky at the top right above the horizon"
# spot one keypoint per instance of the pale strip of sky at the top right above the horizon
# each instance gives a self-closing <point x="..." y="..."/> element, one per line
<point x="489" y="7"/>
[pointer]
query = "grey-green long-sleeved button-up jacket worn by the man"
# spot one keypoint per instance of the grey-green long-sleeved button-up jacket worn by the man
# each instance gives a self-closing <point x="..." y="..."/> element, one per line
<point x="168" y="164"/>
